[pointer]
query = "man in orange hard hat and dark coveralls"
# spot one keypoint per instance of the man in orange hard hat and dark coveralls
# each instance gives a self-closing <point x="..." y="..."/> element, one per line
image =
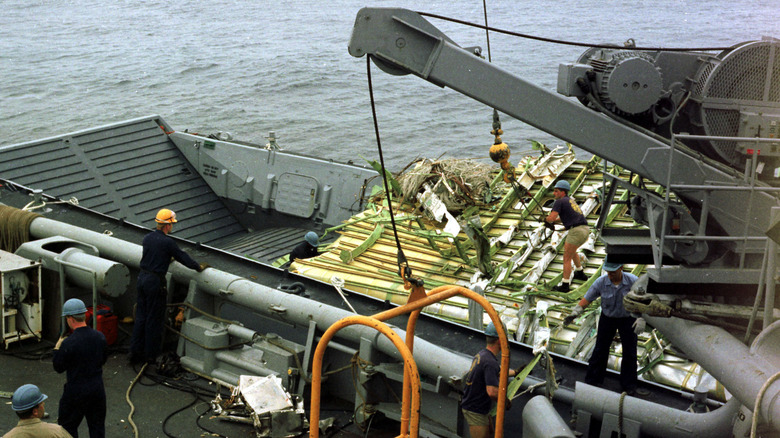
<point x="158" y="251"/>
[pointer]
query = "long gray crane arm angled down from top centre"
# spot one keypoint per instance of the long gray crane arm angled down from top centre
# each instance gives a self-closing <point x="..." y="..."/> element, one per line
<point x="402" y="42"/>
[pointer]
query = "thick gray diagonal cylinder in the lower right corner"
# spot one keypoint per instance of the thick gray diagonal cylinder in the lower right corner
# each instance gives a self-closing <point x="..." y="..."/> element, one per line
<point x="741" y="370"/>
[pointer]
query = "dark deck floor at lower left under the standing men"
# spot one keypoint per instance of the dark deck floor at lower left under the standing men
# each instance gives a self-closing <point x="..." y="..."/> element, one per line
<point x="160" y="404"/>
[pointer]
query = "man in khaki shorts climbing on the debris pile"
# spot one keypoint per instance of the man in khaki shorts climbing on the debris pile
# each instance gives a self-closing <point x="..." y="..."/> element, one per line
<point x="566" y="209"/>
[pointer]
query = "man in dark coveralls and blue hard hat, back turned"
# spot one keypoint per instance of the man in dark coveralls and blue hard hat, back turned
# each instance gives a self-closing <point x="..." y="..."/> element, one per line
<point x="81" y="355"/>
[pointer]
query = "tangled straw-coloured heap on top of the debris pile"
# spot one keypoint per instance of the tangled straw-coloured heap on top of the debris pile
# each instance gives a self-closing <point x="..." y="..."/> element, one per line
<point x="457" y="183"/>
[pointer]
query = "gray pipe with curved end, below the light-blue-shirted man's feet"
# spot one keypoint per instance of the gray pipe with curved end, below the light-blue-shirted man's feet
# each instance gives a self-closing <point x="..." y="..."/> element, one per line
<point x="657" y="420"/>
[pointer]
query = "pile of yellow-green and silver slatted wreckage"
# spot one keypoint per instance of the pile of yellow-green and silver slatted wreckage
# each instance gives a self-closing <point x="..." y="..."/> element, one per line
<point x="488" y="236"/>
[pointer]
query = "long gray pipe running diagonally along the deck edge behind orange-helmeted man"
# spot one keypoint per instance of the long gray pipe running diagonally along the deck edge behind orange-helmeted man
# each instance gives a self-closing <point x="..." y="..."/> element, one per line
<point x="431" y="360"/>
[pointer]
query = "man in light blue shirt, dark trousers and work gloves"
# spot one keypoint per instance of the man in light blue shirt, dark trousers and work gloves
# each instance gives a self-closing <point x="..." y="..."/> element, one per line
<point x="614" y="318"/>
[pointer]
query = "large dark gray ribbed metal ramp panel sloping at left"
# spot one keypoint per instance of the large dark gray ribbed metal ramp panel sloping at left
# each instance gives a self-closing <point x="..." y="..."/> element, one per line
<point x="126" y="170"/>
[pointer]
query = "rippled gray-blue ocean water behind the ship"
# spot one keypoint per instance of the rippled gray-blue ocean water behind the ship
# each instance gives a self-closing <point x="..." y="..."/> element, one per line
<point x="253" y="67"/>
